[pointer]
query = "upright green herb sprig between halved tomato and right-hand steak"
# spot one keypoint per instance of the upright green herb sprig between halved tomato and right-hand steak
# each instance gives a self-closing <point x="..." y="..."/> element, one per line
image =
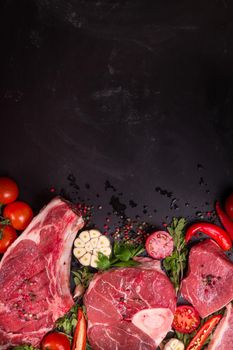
<point x="175" y="264"/>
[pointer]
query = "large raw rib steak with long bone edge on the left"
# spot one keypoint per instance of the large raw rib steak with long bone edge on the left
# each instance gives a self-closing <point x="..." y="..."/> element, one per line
<point x="35" y="273"/>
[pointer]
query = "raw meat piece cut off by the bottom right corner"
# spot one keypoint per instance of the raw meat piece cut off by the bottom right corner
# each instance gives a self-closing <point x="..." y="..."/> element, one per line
<point x="223" y="335"/>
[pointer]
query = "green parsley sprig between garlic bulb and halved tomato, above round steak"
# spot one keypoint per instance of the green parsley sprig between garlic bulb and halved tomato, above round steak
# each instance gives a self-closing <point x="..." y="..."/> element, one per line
<point x="122" y="256"/>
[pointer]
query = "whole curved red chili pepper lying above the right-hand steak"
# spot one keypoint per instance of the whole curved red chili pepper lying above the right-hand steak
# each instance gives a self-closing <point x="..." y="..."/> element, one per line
<point x="215" y="232"/>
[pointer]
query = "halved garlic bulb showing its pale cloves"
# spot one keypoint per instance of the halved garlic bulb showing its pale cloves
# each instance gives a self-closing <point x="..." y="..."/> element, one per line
<point x="87" y="246"/>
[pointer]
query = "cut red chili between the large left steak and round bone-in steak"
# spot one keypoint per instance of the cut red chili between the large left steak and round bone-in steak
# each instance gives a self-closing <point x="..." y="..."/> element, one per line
<point x="80" y="334"/>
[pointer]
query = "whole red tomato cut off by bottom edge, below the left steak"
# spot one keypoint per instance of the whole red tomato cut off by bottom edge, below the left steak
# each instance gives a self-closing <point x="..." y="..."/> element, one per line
<point x="55" y="341"/>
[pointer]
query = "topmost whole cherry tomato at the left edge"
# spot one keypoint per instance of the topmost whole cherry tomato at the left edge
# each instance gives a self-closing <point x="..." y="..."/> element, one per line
<point x="8" y="190"/>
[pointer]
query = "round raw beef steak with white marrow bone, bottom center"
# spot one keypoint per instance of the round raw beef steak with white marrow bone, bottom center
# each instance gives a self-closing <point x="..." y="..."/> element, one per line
<point x="130" y="308"/>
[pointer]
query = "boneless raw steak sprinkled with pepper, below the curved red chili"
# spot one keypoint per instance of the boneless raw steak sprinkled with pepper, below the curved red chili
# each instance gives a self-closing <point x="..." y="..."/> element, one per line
<point x="209" y="282"/>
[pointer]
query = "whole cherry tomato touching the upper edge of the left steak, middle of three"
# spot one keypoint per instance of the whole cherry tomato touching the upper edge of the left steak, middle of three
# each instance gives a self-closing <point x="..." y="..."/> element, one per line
<point x="19" y="213"/>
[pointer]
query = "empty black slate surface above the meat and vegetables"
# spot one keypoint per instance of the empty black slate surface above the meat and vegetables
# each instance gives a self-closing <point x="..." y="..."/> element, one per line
<point x="137" y="93"/>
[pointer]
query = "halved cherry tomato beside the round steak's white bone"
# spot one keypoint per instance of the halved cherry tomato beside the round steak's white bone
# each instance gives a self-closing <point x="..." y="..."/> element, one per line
<point x="186" y="319"/>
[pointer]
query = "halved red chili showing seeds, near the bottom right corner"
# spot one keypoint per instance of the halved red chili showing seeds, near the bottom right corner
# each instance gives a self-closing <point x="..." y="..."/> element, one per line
<point x="198" y="341"/>
